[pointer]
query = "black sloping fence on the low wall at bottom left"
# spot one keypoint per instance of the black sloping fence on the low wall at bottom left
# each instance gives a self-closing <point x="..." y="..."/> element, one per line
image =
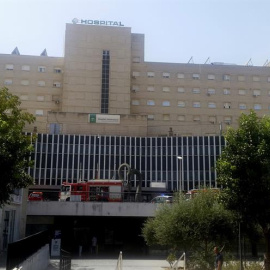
<point x="20" y="250"/>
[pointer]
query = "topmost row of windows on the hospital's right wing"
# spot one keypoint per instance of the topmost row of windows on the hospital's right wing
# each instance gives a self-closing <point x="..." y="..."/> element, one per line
<point x="197" y="76"/>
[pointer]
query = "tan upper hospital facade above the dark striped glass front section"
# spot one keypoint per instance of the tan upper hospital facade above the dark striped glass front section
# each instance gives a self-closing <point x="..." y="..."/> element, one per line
<point x="103" y="86"/>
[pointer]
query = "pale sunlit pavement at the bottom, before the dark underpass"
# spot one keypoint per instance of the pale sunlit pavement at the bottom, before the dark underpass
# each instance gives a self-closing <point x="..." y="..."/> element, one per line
<point x="109" y="264"/>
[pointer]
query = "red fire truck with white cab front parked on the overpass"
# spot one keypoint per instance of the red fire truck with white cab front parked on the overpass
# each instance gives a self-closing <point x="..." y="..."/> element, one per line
<point x="92" y="190"/>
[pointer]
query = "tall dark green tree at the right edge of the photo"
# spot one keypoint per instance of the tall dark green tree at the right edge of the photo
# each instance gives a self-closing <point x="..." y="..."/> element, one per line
<point x="244" y="172"/>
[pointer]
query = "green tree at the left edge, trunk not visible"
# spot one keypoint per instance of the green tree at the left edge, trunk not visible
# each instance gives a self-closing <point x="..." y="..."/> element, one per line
<point x="15" y="147"/>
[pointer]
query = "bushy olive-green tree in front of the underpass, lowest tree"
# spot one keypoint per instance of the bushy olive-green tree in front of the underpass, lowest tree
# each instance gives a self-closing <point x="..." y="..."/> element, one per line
<point x="195" y="225"/>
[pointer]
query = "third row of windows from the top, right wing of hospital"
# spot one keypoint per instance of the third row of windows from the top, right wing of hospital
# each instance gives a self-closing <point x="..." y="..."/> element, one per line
<point x="196" y="104"/>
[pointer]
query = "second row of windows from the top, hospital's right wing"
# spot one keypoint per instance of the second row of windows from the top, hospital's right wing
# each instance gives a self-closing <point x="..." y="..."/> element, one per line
<point x="210" y="91"/>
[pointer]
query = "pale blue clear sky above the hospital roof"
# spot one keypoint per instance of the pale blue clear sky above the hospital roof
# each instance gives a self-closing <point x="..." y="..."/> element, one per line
<point x="176" y="31"/>
